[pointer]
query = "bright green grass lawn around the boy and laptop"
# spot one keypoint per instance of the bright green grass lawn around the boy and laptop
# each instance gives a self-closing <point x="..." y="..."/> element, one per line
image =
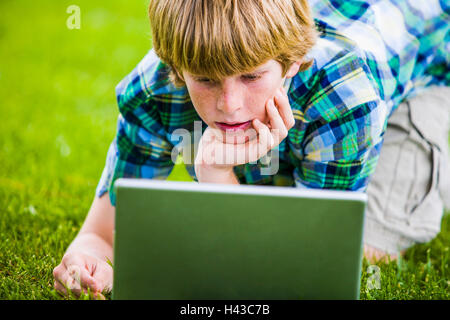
<point x="58" y="117"/>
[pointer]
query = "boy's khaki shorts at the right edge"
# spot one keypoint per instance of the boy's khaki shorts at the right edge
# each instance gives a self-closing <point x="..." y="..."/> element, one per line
<point x="410" y="188"/>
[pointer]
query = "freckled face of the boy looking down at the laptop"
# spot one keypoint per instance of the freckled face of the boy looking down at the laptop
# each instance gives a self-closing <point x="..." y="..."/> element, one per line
<point x="236" y="99"/>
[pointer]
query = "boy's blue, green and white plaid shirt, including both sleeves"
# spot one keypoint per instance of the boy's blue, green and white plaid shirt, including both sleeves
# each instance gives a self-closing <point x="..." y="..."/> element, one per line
<point x="368" y="58"/>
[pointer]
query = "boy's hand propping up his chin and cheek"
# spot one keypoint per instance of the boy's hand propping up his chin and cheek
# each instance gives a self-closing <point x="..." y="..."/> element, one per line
<point x="215" y="157"/>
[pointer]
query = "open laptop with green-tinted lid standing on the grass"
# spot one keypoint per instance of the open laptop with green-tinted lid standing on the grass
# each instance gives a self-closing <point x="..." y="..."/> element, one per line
<point x="190" y="241"/>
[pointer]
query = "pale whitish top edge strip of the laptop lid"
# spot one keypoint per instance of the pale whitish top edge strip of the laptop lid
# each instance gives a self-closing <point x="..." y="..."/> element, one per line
<point x="240" y="189"/>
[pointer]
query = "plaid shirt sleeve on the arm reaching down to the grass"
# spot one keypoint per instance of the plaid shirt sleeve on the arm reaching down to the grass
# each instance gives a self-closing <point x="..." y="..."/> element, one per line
<point x="141" y="148"/>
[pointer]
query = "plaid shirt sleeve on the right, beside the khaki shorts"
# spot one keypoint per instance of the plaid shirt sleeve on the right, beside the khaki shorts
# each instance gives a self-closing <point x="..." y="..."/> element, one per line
<point x="342" y="125"/>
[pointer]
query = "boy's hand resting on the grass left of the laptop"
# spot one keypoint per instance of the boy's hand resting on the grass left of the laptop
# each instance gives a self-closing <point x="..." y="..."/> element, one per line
<point x="78" y="272"/>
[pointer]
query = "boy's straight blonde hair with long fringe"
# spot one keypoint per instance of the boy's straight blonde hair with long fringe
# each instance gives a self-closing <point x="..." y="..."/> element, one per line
<point x="220" y="38"/>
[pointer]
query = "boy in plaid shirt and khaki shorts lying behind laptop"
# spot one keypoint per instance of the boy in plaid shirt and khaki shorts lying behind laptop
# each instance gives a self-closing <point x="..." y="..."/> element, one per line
<point x="228" y="64"/>
